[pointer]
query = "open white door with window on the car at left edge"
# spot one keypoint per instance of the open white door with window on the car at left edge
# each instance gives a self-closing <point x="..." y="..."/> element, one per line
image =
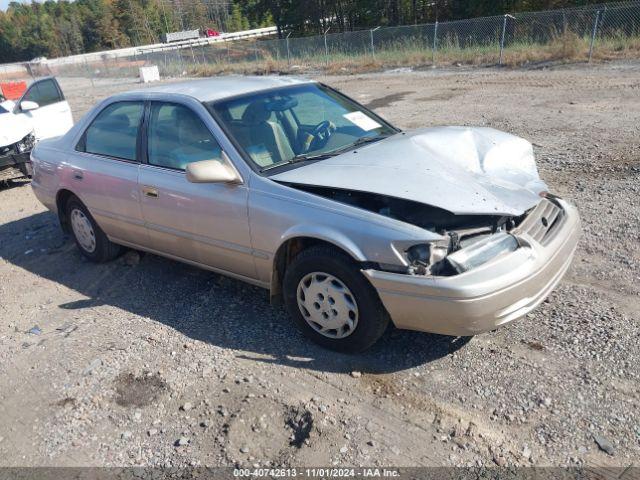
<point x="53" y="115"/>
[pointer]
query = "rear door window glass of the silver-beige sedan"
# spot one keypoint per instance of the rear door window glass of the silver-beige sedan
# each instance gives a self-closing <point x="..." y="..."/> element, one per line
<point x="114" y="132"/>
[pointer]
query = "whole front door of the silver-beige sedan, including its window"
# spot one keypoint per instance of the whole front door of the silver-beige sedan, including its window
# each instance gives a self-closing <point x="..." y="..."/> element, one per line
<point x="206" y="223"/>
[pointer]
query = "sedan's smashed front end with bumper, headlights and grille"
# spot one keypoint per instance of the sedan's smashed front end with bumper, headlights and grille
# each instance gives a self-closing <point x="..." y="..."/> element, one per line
<point x="479" y="277"/>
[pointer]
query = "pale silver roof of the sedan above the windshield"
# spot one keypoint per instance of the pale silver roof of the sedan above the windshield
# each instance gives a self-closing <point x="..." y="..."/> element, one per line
<point x="218" y="88"/>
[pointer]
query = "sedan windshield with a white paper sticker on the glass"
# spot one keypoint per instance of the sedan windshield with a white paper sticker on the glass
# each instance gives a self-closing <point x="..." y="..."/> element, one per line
<point x="298" y="123"/>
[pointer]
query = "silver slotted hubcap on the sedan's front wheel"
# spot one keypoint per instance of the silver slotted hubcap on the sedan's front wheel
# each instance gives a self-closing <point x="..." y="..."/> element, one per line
<point x="327" y="305"/>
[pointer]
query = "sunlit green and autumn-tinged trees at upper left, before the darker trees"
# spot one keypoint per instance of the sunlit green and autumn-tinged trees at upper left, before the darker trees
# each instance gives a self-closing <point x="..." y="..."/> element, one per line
<point x="59" y="28"/>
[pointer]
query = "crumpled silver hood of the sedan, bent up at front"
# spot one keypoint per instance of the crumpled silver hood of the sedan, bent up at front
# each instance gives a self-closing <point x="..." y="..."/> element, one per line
<point x="472" y="171"/>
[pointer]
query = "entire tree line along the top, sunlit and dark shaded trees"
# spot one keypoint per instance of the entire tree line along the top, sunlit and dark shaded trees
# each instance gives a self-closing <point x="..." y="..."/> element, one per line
<point x="59" y="28"/>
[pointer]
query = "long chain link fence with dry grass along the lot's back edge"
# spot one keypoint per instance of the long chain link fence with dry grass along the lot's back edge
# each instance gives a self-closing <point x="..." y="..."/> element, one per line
<point x="607" y="31"/>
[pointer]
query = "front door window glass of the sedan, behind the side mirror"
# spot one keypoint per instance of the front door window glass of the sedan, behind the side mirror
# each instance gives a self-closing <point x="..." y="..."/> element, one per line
<point x="178" y="137"/>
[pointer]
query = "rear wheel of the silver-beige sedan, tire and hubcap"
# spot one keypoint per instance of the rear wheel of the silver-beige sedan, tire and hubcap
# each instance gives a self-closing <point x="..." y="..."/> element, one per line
<point x="103" y="249"/>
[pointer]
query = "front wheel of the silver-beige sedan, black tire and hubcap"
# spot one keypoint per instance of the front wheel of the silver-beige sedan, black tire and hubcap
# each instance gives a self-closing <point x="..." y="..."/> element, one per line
<point x="369" y="319"/>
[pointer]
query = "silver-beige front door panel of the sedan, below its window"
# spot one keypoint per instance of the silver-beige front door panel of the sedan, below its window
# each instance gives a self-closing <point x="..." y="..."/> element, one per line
<point x="204" y="223"/>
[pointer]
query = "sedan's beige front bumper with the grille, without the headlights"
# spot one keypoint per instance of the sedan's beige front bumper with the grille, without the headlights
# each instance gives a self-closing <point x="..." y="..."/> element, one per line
<point x="494" y="293"/>
